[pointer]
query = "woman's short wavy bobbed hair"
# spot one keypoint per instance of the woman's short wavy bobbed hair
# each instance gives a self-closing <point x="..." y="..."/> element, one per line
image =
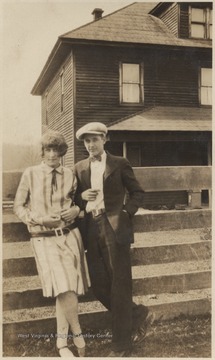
<point x="54" y="139"/>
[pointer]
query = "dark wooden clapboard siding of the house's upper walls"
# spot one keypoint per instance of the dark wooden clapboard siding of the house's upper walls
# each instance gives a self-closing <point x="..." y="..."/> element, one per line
<point x="92" y="87"/>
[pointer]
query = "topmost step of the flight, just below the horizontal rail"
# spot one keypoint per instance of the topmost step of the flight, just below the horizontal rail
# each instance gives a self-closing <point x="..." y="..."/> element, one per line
<point x="144" y="221"/>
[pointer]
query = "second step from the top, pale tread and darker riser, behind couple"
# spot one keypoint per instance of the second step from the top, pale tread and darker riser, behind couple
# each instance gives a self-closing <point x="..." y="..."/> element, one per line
<point x="149" y="248"/>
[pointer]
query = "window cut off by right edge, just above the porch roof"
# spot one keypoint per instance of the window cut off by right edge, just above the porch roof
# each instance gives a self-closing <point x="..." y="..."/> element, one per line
<point x="206" y="86"/>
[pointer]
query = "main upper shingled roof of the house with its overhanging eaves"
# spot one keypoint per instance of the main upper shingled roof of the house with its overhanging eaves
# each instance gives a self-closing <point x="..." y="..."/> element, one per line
<point x="129" y="25"/>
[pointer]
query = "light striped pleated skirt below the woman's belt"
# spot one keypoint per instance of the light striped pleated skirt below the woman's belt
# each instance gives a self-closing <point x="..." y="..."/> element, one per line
<point x="61" y="264"/>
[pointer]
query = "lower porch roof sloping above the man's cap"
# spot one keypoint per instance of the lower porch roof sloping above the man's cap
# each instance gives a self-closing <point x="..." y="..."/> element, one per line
<point x="163" y="118"/>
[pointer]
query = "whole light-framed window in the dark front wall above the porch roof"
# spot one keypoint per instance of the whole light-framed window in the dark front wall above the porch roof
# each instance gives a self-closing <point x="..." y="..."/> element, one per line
<point x="131" y="83"/>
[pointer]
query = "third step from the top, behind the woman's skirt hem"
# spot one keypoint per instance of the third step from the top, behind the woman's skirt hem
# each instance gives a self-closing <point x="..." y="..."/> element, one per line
<point x="23" y="292"/>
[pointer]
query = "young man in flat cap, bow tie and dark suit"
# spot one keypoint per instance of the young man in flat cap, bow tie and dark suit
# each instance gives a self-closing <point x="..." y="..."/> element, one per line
<point x="103" y="181"/>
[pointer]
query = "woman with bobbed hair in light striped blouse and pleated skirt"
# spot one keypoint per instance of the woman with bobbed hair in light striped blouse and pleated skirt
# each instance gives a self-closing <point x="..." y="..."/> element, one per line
<point x="44" y="203"/>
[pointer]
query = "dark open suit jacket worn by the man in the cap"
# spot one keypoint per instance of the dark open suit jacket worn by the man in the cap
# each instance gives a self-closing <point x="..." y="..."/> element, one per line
<point x="119" y="179"/>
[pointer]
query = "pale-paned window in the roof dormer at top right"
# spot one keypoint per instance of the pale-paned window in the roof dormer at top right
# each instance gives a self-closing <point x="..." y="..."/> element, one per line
<point x="201" y="23"/>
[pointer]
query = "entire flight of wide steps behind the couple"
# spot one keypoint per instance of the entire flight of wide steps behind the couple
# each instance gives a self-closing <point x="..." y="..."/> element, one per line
<point x="171" y="272"/>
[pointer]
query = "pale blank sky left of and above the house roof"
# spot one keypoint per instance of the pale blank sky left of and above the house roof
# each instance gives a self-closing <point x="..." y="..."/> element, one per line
<point x="29" y="31"/>
